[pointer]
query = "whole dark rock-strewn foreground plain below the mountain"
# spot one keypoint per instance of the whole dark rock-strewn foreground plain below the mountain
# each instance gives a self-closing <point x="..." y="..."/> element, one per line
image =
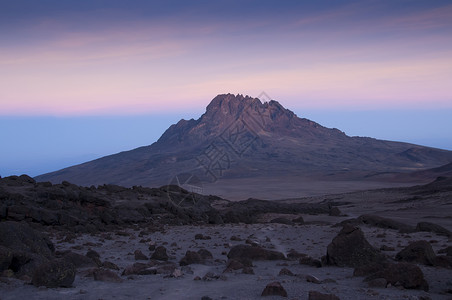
<point x="135" y="243"/>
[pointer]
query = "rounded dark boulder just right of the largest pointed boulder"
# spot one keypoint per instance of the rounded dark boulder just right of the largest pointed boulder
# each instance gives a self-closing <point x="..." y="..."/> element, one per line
<point x="420" y="252"/>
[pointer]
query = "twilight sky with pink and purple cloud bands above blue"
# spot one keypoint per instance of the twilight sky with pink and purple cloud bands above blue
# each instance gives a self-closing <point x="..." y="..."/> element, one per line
<point x="83" y="79"/>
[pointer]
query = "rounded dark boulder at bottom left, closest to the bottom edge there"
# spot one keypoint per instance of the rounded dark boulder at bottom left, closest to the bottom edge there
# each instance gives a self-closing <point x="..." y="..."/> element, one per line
<point x="55" y="273"/>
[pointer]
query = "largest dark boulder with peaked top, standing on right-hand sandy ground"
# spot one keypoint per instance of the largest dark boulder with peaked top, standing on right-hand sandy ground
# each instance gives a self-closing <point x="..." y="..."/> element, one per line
<point x="350" y="249"/>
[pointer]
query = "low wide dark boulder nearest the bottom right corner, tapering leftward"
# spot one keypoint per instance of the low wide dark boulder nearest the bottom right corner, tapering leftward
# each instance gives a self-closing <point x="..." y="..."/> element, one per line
<point x="405" y="274"/>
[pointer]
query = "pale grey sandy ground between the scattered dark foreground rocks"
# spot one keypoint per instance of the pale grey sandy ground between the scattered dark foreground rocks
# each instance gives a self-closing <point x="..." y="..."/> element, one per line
<point x="311" y="238"/>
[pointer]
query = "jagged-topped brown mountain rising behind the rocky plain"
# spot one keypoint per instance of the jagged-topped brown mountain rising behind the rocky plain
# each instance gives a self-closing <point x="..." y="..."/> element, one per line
<point x="240" y="137"/>
